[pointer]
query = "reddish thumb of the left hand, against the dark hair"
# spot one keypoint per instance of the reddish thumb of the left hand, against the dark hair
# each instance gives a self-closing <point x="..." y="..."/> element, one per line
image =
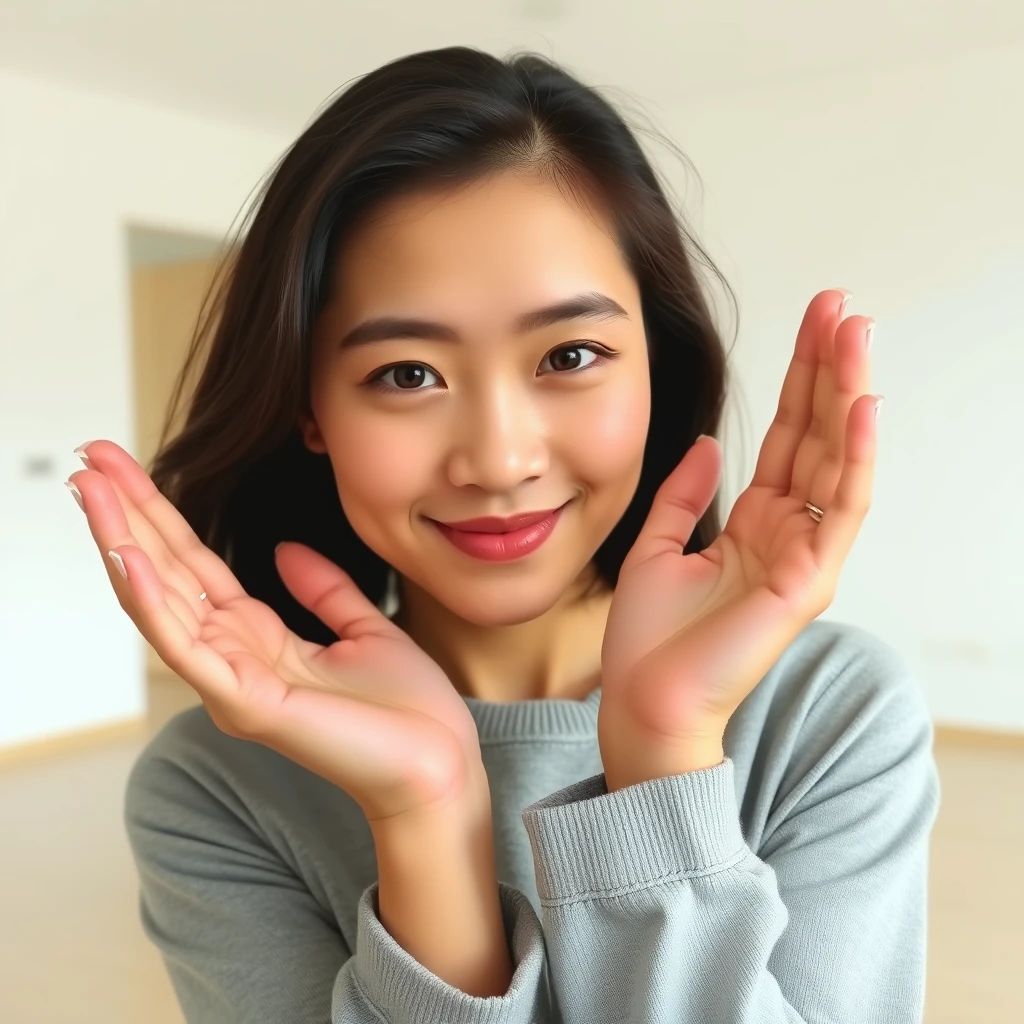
<point x="328" y="591"/>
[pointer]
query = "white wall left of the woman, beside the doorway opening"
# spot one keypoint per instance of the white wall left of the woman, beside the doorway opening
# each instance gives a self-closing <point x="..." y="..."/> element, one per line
<point x="74" y="169"/>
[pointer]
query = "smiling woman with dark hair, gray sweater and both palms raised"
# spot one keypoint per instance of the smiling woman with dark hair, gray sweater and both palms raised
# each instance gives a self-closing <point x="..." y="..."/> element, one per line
<point x="589" y="758"/>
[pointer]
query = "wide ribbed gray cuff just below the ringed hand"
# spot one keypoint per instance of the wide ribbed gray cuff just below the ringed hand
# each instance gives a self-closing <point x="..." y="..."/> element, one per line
<point x="589" y="843"/>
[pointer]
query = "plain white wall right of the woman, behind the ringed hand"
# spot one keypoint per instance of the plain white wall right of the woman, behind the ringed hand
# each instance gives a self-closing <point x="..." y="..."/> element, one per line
<point x="907" y="188"/>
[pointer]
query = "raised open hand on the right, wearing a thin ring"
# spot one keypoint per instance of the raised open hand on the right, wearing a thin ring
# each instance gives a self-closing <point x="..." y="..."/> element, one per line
<point x="690" y="636"/>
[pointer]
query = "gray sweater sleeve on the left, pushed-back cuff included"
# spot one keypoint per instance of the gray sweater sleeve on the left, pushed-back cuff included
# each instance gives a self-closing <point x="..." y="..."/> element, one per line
<point x="245" y="942"/>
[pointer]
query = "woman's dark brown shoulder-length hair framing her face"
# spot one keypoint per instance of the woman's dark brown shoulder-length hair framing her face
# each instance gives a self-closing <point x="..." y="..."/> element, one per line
<point x="238" y="471"/>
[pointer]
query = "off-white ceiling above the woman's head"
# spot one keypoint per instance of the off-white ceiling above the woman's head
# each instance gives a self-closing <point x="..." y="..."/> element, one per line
<point x="270" y="65"/>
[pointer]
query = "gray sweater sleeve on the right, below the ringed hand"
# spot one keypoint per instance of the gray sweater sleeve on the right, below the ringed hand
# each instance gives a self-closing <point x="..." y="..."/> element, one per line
<point x="657" y="912"/>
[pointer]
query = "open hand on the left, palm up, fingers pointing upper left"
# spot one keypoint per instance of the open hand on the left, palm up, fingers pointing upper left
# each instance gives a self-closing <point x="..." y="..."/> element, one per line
<point x="372" y="713"/>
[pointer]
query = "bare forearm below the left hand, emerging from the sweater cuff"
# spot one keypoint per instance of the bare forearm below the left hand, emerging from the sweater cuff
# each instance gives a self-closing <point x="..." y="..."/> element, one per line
<point x="439" y="892"/>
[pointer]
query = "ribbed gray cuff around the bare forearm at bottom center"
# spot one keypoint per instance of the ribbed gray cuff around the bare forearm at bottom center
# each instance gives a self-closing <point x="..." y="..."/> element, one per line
<point x="404" y="992"/>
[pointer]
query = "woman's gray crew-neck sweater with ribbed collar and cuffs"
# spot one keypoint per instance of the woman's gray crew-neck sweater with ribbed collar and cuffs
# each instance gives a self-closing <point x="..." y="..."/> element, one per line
<point x="787" y="884"/>
